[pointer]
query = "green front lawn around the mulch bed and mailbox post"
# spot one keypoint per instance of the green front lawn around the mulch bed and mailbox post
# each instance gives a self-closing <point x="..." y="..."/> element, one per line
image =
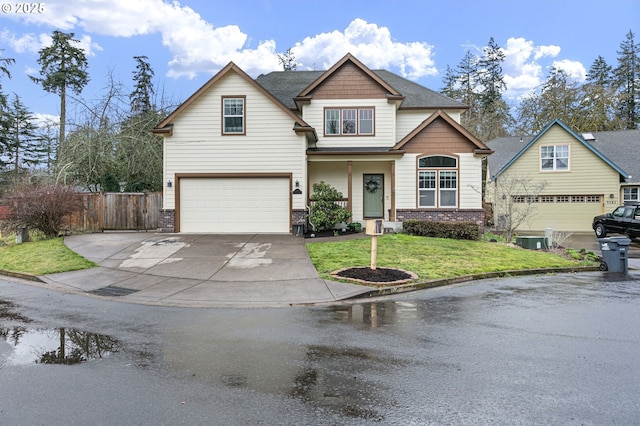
<point x="433" y="258"/>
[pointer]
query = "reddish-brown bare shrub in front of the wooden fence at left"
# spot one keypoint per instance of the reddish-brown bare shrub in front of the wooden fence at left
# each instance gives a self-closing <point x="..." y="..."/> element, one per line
<point x="43" y="207"/>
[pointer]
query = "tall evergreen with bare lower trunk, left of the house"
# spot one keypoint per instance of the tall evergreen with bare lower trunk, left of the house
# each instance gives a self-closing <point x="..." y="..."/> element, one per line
<point x="63" y="66"/>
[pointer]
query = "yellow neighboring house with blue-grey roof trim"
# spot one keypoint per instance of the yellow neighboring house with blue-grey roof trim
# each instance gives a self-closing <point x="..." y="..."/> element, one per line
<point x="561" y="179"/>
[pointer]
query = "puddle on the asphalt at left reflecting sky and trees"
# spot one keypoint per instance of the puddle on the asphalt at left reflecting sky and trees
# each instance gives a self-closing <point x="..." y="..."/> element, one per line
<point x="20" y="345"/>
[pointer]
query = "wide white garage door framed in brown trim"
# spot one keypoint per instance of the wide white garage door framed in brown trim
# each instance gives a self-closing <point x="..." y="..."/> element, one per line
<point x="234" y="205"/>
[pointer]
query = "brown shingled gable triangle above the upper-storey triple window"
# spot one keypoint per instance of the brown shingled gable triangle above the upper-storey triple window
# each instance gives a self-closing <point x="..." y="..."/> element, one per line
<point x="349" y="82"/>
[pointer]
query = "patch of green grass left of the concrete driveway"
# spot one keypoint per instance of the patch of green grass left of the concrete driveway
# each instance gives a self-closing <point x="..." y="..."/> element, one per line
<point x="41" y="258"/>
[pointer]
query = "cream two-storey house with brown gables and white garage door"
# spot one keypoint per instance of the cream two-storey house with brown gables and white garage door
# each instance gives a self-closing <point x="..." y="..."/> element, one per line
<point x="242" y="155"/>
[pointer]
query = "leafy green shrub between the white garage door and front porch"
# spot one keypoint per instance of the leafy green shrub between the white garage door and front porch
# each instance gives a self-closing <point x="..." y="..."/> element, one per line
<point x="325" y="211"/>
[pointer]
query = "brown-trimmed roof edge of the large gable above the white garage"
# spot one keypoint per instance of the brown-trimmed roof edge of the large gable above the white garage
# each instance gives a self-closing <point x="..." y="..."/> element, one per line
<point x="164" y="127"/>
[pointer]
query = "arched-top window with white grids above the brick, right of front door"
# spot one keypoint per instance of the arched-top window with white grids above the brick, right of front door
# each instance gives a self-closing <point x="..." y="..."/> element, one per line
<point x="437" y="186"/>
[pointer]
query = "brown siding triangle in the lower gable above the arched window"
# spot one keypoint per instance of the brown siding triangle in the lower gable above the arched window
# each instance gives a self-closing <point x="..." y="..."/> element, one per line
<point x="437" y="138"/>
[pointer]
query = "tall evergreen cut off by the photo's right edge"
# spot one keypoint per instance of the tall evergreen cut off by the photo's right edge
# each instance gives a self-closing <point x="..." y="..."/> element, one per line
<point x="627" y="77"/>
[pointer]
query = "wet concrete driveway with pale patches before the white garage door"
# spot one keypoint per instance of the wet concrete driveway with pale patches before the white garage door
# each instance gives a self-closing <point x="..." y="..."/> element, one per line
<point x="199" y="270"/>
